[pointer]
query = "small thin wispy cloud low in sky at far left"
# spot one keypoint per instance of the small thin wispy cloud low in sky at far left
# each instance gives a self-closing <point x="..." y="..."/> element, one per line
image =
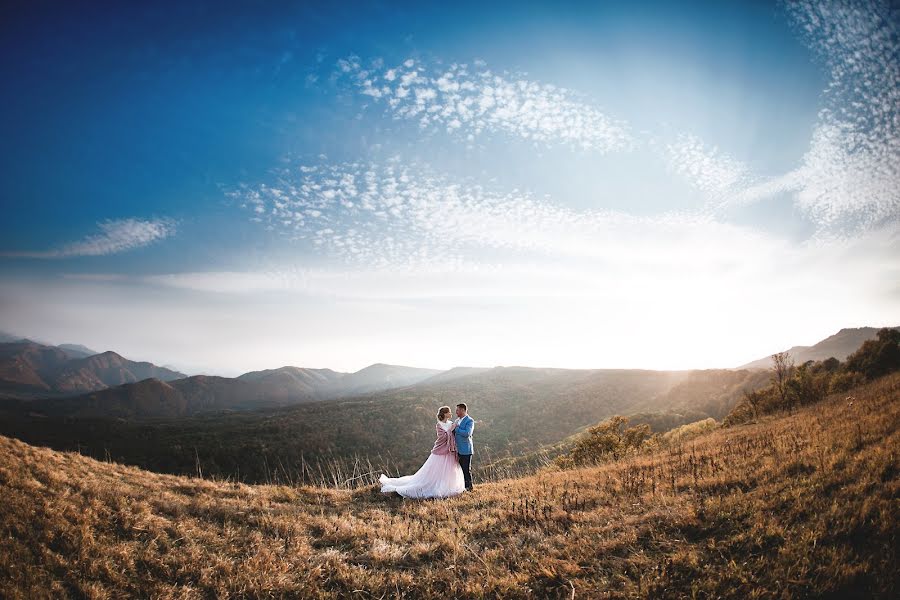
<point x="115" y="236"/>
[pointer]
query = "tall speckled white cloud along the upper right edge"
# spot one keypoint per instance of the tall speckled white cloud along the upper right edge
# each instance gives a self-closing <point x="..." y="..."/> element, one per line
<point x="849" y="179"/>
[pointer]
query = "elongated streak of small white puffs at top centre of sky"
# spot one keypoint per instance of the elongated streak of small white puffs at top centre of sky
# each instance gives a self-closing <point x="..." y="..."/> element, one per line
<point x="470" y="101"/>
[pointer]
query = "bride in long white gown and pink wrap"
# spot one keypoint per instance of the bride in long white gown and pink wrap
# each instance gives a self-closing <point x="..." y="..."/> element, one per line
<point x="440" y="476"/>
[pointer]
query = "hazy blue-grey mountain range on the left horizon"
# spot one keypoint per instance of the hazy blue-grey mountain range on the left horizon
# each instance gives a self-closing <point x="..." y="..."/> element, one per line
<point x="64" y="381"/>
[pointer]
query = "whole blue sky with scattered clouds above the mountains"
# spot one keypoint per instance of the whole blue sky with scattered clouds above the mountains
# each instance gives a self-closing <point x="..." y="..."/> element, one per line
<point x="230" y="186"/>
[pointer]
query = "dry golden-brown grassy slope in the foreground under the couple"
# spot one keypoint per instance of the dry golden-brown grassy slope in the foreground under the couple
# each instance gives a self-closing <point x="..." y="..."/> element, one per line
<point x="794" y="506"/>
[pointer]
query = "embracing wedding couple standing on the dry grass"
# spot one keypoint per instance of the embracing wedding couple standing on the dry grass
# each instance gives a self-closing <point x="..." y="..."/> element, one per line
<point x="446" y="471"/>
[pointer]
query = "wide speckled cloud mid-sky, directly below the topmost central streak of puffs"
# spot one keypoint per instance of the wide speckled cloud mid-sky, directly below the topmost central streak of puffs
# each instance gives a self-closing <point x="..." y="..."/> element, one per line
<point x="402" y="215"/>
